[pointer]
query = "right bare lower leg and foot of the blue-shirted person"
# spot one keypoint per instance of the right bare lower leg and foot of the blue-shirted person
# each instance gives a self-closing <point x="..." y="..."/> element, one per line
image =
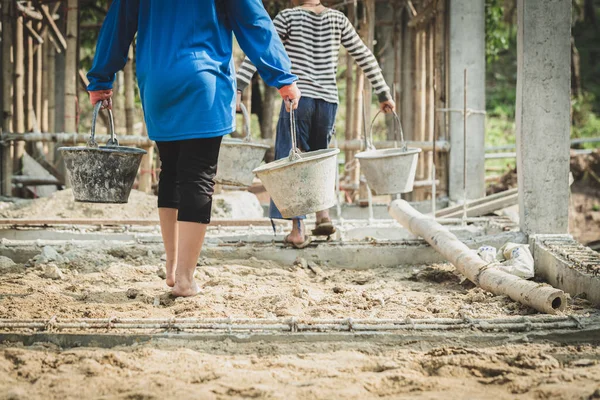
<point x="189" y="245"/>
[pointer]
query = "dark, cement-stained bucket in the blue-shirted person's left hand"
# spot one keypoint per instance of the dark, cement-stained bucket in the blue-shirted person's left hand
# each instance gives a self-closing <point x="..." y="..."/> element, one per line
<point x="102" y="174"/>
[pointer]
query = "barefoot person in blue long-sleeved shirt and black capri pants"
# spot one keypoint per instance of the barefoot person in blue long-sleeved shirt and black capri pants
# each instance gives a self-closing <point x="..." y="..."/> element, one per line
<point x="187" y="86"/>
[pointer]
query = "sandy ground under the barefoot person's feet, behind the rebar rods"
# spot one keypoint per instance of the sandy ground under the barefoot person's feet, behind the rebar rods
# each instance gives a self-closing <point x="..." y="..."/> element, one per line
<point x="123" y="282"/>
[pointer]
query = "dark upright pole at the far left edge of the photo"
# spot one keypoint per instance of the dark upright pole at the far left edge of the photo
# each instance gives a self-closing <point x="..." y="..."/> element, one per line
<point x="7" y="93"/>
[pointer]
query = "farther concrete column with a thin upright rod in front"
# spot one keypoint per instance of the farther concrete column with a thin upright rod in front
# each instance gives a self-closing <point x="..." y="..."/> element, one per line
<point x="467" y="50"/>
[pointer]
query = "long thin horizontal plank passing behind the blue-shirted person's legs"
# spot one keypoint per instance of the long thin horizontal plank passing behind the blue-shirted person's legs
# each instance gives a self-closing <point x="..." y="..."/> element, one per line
<point x="137" y="222"/>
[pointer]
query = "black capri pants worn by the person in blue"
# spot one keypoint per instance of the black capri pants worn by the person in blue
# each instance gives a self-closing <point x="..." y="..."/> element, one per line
<point x="186" y="180"/>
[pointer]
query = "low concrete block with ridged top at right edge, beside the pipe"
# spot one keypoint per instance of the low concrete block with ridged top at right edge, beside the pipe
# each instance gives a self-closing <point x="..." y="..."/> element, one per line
<point x="568" y="265"/>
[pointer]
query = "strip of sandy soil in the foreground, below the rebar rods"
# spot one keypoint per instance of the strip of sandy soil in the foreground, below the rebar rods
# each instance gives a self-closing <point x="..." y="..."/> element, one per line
<point x="227" y="370"/>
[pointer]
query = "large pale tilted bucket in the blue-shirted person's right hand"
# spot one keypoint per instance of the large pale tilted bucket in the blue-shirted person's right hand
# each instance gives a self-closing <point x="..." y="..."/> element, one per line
<point x="302" y="183"/>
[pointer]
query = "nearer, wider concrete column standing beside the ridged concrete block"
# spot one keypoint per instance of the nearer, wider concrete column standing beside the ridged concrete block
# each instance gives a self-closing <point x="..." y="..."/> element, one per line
<point x="543" y="114"/>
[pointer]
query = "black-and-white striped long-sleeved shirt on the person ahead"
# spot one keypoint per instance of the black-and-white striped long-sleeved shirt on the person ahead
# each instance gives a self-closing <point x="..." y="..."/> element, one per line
<point x="312" y="42"/>
